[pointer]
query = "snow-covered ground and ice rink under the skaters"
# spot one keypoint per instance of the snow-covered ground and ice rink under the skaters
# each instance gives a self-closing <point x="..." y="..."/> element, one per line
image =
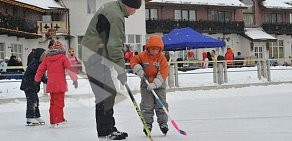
<point x="254" y="113"/>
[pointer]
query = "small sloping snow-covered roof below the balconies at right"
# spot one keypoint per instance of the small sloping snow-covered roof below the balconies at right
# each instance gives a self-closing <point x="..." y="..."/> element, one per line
<point x="258" y="34"/>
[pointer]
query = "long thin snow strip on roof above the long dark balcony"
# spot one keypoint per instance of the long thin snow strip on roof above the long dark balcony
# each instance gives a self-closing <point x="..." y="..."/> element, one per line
<point x="236" y="3"/>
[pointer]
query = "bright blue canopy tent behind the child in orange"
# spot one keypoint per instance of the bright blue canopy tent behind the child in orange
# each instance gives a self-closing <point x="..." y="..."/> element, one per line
<point x="187" y="38"/>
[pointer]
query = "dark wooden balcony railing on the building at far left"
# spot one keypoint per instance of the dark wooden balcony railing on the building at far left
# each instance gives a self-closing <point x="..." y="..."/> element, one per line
<point x="15" y="26"/>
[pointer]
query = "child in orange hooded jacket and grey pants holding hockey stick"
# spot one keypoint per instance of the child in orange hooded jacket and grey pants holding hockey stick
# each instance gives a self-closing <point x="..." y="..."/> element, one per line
<point x="152" y="64"/>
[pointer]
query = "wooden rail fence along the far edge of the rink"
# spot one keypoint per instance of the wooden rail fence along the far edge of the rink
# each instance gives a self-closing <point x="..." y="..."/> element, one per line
<point x="220" y="72"/>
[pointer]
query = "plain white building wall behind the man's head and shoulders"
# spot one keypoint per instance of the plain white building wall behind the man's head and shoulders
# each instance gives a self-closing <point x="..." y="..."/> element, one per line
<point x="79" y="19"/>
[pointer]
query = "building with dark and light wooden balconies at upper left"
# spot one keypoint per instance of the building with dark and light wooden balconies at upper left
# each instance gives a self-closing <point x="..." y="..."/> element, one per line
<point x="25" y="24"/>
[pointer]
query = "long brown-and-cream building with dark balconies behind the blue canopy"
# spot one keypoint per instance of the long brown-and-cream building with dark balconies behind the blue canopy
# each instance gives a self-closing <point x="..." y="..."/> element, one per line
<point x="256" y="28"/>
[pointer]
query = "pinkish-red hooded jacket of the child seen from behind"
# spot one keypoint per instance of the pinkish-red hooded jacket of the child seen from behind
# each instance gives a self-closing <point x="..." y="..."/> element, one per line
<point x="55" y="65"/>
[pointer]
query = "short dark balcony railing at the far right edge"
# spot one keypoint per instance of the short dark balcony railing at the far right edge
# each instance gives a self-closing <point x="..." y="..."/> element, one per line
<point x="278" y="28"/>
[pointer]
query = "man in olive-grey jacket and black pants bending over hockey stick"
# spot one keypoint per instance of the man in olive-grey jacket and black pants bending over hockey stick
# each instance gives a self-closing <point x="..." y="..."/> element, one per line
<point x="102" y="48"/>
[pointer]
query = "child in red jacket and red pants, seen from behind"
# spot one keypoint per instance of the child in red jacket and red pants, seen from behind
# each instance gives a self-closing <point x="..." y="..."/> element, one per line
<point x="56" y="64"/>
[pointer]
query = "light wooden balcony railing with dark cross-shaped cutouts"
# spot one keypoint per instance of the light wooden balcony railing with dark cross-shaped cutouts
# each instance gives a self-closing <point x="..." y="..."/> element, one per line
<point x="58" y="26"/>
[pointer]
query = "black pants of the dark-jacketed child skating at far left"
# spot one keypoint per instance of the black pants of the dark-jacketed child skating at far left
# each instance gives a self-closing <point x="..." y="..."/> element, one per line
<point x="32" y="104"/>
